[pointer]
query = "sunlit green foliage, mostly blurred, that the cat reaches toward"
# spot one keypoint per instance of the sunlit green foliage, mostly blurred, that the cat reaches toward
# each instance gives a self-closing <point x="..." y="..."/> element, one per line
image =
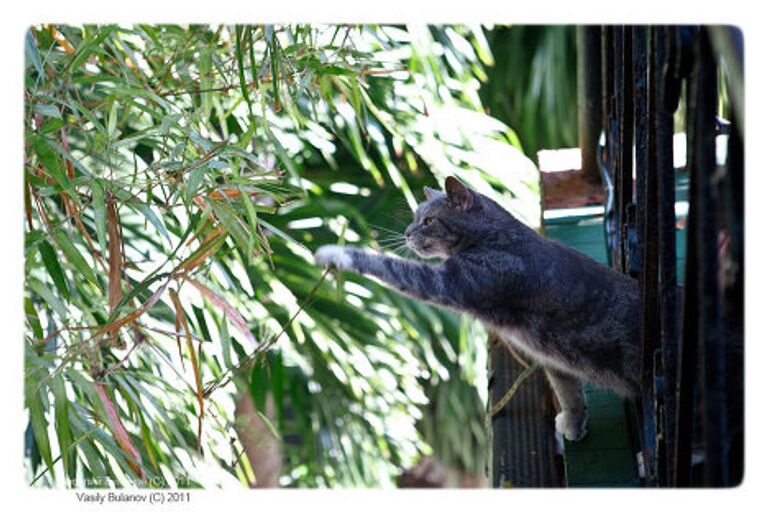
<point x="177" y="181"/>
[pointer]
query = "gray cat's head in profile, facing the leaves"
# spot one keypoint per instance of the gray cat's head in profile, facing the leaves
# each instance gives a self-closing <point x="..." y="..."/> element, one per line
<point x="446" y="222"/>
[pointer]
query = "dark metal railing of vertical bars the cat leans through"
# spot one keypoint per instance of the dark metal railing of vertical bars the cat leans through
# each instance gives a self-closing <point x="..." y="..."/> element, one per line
<point x="691" y="407"/>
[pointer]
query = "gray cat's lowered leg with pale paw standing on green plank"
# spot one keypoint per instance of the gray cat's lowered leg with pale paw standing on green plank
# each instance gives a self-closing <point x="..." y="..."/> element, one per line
<point x="571" y="421"/>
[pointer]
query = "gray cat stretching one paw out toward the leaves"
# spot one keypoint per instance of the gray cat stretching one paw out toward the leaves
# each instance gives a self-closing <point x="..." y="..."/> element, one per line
<point x="578" y="318"/>
